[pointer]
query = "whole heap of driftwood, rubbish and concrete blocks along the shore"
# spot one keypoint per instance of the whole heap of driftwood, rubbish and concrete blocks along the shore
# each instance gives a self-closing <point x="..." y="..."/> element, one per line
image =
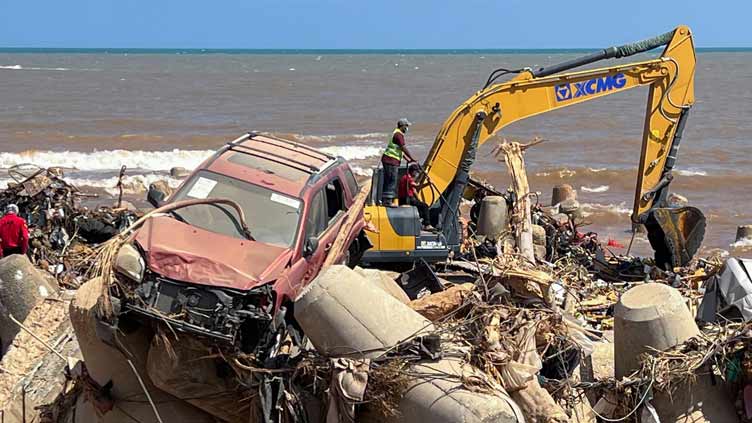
<point x="534" y="321"/>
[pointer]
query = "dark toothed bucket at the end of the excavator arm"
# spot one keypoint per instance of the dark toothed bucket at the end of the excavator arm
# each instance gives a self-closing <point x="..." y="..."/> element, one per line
<point x="675" y="235"/>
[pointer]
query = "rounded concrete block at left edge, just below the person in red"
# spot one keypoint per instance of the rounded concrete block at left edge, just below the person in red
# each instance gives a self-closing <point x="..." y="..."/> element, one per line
<point x="22" y="287"/>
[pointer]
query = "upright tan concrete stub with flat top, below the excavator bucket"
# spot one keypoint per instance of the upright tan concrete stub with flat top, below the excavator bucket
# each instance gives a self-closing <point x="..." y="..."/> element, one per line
<point x="649" y="316"/>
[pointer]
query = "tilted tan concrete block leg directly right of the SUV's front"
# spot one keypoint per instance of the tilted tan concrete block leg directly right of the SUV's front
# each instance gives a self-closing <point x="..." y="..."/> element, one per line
<point x="345" y="315"/>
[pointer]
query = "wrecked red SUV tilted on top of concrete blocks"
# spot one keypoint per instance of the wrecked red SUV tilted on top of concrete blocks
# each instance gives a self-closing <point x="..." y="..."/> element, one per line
<point x="198" y="269"/>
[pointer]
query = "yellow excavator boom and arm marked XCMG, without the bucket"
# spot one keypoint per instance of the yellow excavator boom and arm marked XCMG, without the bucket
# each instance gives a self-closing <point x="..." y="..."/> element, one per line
<point x="670" y="79"/>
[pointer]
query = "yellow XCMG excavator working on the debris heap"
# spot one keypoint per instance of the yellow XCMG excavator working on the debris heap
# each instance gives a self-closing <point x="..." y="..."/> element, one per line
<point x="674" y="234"/>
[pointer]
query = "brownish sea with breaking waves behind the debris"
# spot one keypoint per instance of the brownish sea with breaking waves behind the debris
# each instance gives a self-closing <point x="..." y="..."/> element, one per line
<point x="93" y="111"/>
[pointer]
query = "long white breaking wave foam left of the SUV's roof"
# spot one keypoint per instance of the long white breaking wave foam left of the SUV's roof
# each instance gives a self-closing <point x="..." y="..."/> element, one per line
<point x="108" y="159"/>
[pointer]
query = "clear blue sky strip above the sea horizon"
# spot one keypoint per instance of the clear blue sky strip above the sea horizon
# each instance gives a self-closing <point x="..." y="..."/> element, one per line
<point x="360" y="24"/>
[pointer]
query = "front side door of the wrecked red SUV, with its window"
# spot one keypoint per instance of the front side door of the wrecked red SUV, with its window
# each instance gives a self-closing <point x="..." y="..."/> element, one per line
<point x="328" y="205"/>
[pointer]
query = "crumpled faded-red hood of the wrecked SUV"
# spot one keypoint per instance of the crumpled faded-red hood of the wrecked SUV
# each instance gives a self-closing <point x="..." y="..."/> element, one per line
<point x="186" y="253"/>
